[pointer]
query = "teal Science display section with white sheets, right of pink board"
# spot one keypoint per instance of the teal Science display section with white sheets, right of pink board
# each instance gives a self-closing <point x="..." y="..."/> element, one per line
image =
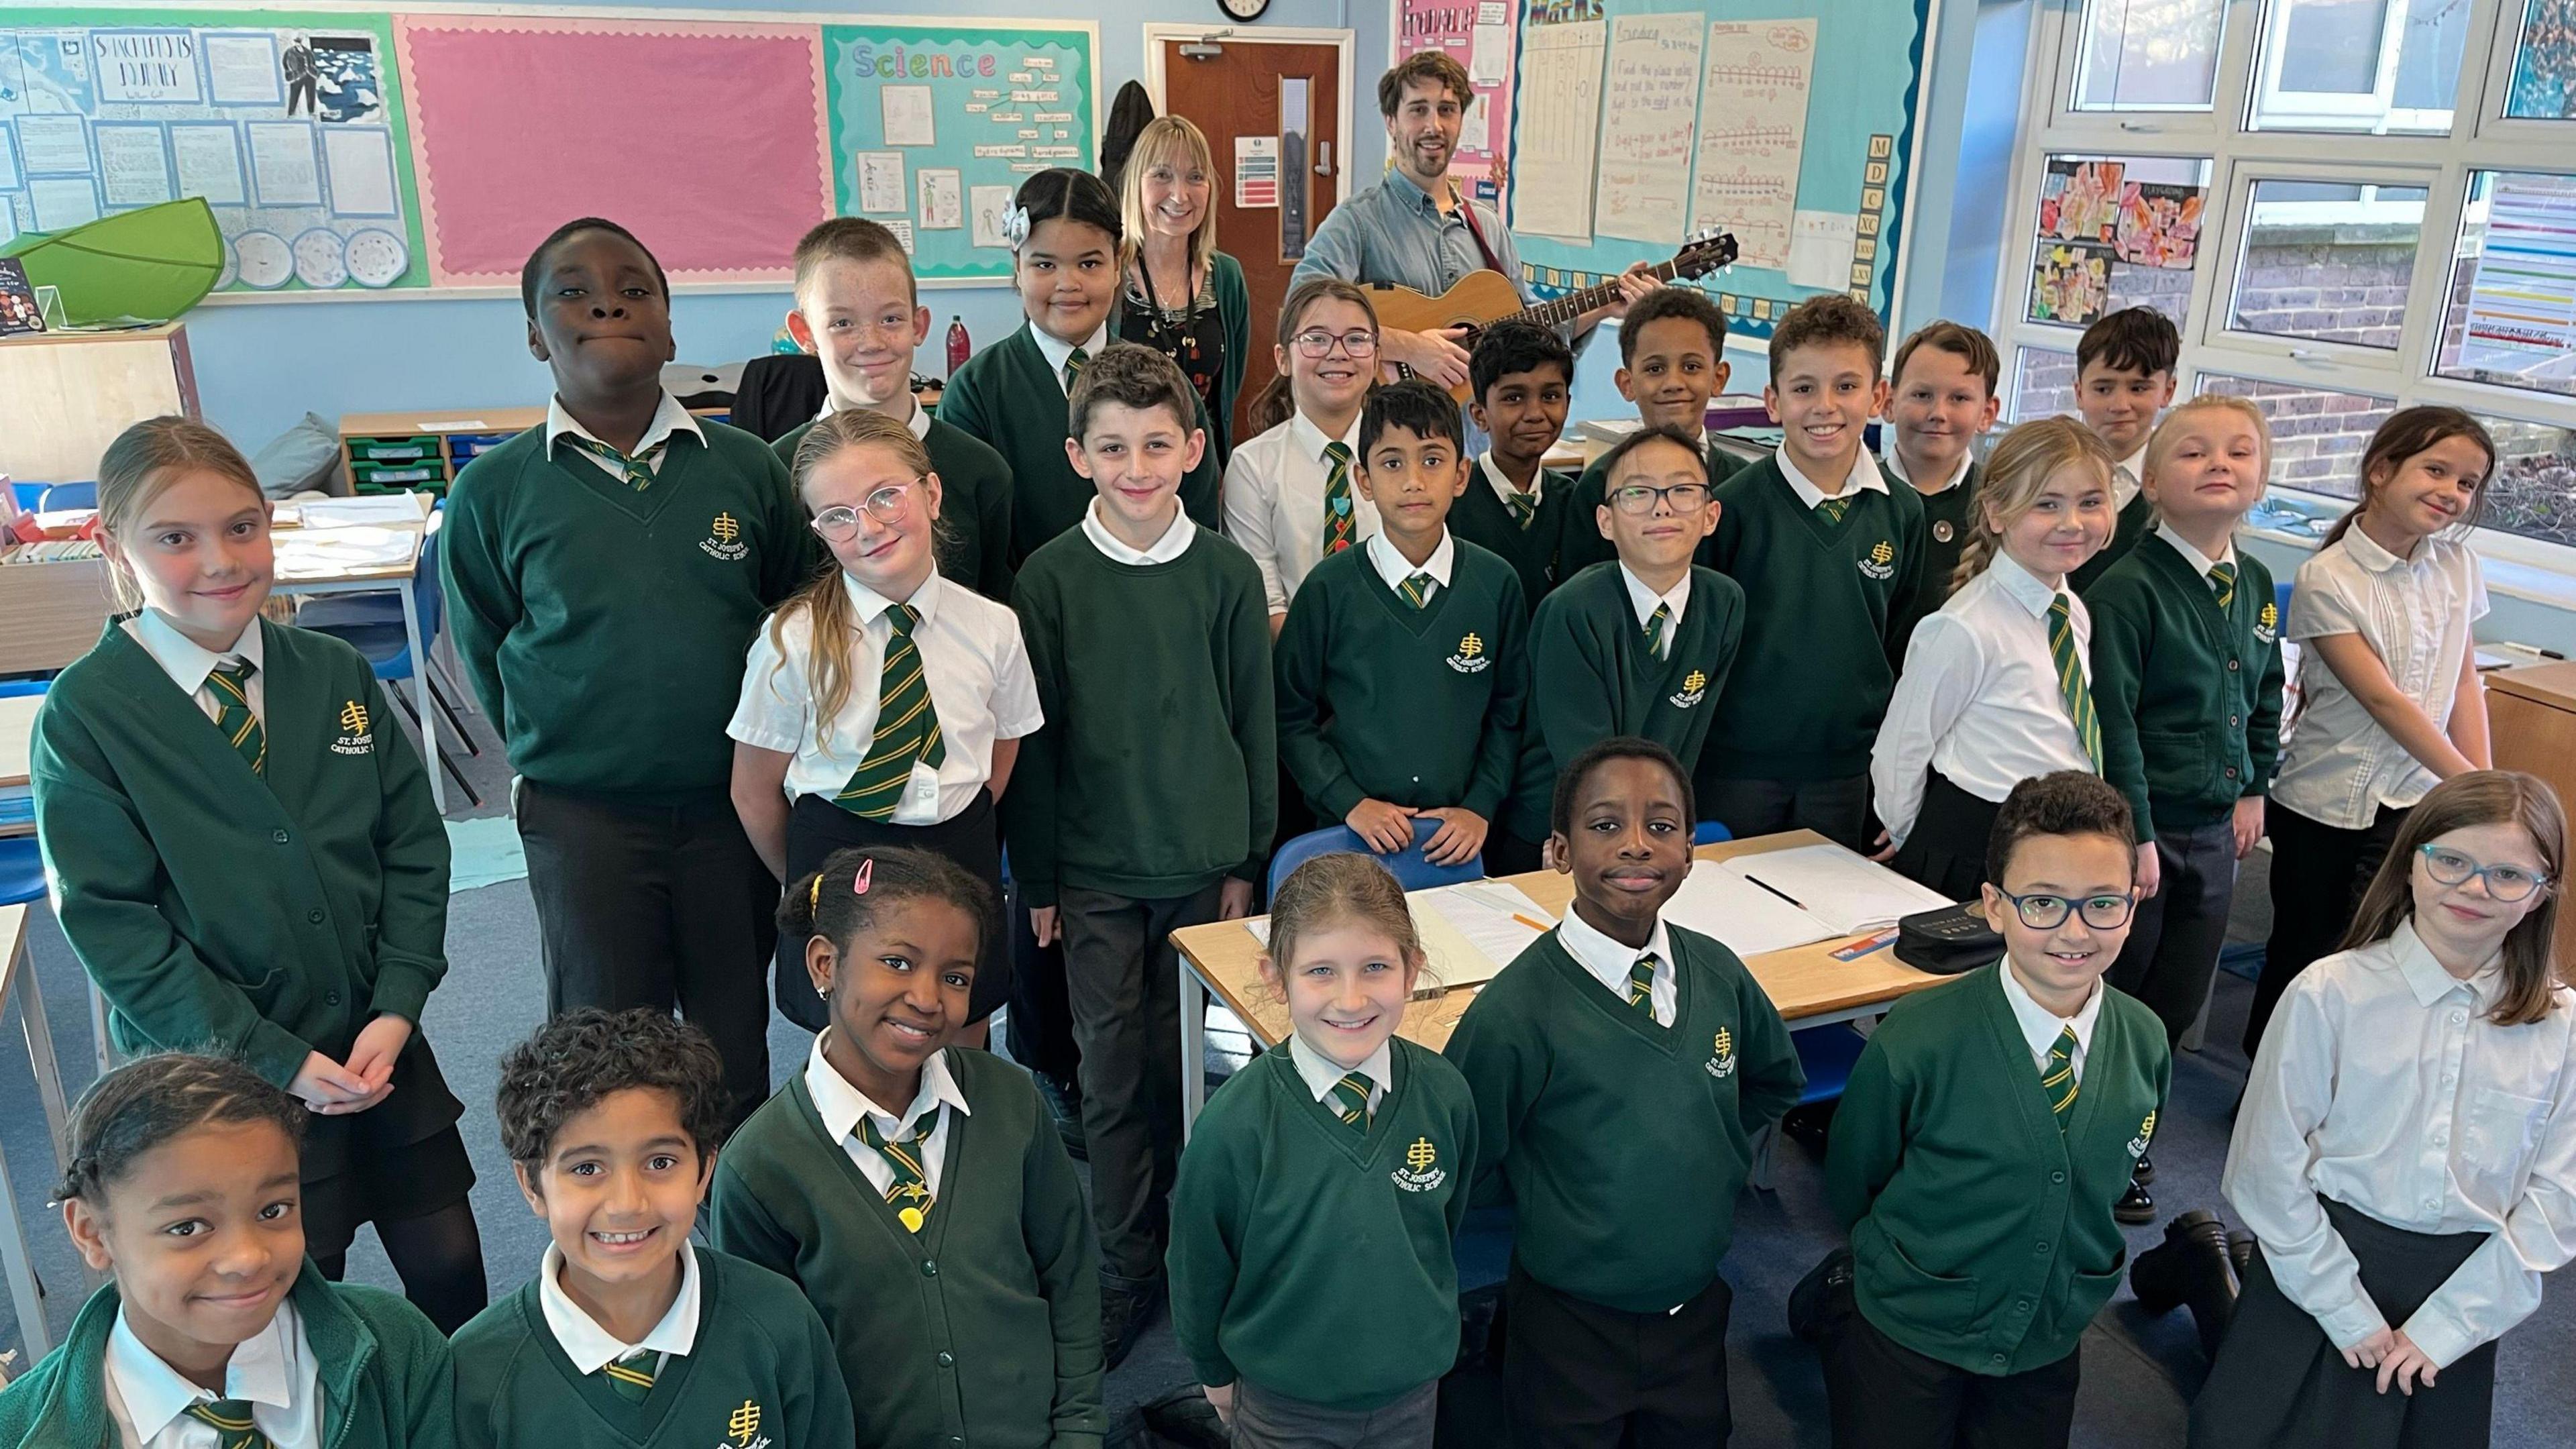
<point x="939" y="125"/>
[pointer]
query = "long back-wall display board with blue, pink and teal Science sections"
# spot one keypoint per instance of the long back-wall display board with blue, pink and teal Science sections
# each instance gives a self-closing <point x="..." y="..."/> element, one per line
<point x="362" y="151"/>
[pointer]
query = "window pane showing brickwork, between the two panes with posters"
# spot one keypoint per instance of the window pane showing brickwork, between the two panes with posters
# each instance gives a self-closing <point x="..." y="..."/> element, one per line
<point x="2327" y="262"/>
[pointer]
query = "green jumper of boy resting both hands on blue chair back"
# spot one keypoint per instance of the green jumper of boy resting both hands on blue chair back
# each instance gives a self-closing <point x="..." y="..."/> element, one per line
<point x="1416" y="708"/>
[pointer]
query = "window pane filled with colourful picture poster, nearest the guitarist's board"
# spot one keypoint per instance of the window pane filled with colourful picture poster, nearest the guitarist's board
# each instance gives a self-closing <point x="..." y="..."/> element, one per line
<point x="2116" y="233"/>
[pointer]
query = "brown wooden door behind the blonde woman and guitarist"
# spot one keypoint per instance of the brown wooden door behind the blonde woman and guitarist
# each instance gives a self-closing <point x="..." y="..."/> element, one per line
<point x="1287" y="102"/>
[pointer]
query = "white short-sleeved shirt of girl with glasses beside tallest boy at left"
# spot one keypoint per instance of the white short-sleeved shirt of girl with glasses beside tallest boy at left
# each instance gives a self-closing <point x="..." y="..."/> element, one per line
<point x="972" y="661"/>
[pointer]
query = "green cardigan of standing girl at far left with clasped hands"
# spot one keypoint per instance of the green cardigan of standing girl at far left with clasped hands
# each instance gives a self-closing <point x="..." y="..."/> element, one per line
<point x="256" y="914"/>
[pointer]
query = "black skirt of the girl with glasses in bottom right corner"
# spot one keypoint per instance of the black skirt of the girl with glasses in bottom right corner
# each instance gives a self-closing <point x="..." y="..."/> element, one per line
<point x="2281" y="1383"/>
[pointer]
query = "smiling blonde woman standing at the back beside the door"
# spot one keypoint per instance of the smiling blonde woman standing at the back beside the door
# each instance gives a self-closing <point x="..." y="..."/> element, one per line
<point x="1181" y="295"/>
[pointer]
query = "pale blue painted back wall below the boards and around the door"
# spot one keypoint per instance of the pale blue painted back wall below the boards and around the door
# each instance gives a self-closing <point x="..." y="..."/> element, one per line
<point x="264" y="365"/>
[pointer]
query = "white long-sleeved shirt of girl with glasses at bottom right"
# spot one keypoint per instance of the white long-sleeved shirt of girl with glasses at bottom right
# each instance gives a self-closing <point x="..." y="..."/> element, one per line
<point x="2384" y="1087"/>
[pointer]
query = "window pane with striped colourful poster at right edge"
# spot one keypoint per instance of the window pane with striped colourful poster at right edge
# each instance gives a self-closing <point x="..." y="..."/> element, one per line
<point x="2513" y="285"/>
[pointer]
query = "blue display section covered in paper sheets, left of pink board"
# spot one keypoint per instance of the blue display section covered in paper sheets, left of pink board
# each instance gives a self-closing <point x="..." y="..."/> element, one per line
<point x="290" y="125"/>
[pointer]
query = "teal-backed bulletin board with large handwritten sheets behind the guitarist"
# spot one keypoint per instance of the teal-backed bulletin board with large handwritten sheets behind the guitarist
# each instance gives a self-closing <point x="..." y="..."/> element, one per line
<point x="1789" y="122"/>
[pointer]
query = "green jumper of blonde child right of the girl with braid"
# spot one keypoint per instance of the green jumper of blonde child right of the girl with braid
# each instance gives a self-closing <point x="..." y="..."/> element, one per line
<point x="2188" y="692"/>
